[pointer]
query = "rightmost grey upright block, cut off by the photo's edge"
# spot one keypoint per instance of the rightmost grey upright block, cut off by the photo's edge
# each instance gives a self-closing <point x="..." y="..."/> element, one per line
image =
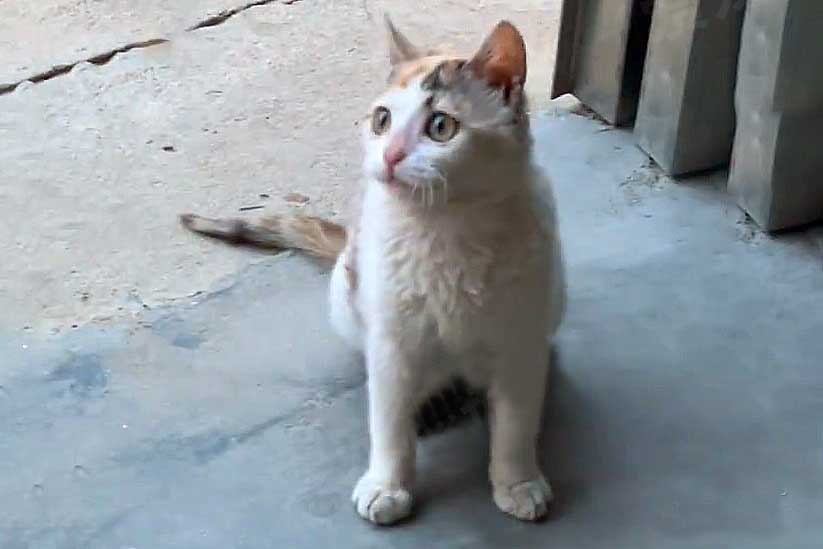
<point x="777" y="166"/>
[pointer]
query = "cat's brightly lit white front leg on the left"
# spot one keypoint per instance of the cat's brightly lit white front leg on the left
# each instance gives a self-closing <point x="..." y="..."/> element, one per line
<point x="383" y="493"/>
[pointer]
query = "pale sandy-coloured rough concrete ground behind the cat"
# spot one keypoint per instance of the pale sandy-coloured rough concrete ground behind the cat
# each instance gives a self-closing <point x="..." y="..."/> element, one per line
<point x="96" y="163"/>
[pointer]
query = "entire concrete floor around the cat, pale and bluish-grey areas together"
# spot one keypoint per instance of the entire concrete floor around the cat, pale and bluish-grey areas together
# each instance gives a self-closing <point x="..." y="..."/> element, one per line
<point x="159" y="391"/>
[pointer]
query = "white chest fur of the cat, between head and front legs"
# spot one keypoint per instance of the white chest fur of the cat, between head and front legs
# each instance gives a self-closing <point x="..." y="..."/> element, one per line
<point x="457" y="274"/>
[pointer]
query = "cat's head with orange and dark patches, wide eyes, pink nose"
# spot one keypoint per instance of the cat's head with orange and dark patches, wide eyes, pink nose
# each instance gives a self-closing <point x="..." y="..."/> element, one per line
<point x="449" y="128"/>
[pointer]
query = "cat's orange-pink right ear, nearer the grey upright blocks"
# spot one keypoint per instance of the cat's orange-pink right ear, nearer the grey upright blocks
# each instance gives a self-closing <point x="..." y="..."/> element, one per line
<point x="501" y="60"/>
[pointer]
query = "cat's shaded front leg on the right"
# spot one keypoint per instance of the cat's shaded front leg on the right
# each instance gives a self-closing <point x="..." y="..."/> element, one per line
<point x="516" y="396"/>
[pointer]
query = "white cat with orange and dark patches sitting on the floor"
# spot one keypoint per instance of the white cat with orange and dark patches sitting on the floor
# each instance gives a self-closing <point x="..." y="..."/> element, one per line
<point x="453" y="268"/>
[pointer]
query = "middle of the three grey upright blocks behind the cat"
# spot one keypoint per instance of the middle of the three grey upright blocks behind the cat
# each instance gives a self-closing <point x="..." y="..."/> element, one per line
<point x="685" y="118"/>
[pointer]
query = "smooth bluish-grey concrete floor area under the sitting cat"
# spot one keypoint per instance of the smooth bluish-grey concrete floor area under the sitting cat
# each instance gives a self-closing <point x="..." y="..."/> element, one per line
<point x="683" y="413"/>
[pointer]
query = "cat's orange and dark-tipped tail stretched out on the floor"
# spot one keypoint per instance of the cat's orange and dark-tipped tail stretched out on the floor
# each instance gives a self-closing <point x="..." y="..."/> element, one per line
<point x="315" y="236"/>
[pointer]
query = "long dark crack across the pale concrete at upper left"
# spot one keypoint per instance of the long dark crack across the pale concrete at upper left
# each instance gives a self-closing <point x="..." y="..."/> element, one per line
<point x="104" y="58"/>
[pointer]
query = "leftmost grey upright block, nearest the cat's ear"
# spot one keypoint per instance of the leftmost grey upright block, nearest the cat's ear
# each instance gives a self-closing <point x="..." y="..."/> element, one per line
<point x="600" y="54"/>
